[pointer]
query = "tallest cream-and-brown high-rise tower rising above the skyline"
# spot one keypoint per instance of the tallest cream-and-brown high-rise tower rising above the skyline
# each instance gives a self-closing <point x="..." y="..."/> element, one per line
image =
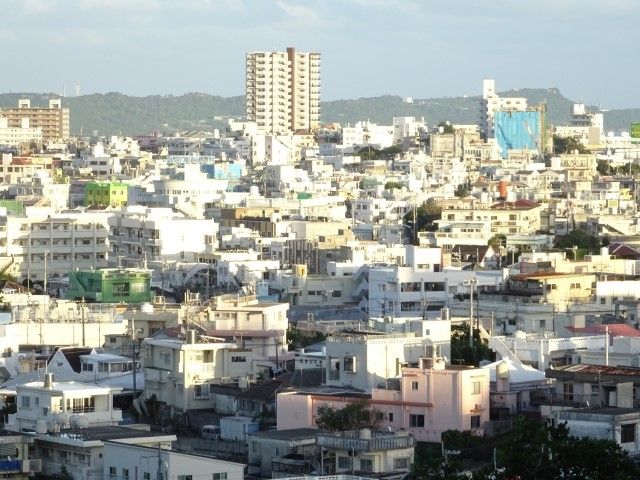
<point x="283" y="90"/>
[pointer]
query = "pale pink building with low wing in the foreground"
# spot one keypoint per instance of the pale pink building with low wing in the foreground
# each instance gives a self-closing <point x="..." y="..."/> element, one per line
<point x="429" y="400"/>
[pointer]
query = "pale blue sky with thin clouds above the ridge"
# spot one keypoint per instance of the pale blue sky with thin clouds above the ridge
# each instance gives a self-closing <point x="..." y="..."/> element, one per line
<point x="411" y="48"/>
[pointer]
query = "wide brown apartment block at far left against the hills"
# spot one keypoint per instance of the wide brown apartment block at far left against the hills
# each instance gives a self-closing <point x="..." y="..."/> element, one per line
<point x="52" y="120"/>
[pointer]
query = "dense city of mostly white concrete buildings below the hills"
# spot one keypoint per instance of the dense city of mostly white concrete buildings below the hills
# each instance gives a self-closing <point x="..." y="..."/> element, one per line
<point x="286" y="297"/>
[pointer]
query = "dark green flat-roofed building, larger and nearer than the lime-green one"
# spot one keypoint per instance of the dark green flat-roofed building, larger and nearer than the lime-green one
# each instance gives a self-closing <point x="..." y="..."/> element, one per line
<point x="110" y="285"/>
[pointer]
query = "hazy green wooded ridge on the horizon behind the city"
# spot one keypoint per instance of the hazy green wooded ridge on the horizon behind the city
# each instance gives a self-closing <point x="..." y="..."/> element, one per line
<point x="116" y="113"/>
